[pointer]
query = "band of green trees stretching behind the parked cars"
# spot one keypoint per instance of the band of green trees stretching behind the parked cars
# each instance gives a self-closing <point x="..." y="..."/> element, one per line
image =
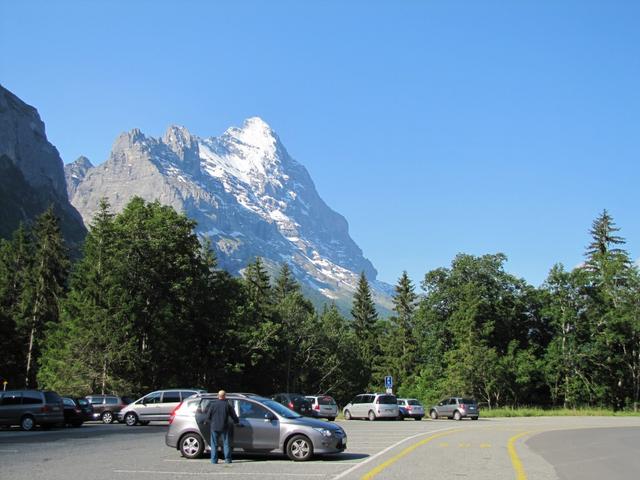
<point x="146" y="307"/>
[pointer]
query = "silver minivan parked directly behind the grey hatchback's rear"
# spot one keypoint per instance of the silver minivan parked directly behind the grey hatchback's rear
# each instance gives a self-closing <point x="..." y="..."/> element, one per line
<point x="155" y="406"/>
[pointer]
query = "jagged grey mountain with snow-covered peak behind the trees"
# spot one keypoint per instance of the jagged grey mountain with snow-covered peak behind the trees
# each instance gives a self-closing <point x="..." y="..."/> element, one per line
<point x="248" y="195"/>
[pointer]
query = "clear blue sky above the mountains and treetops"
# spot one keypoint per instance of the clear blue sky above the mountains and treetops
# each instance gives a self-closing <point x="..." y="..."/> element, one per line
<point x="434" y="127"/>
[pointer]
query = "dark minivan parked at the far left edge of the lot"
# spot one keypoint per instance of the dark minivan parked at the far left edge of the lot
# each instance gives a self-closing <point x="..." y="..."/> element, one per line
<point x="29" y="408"/>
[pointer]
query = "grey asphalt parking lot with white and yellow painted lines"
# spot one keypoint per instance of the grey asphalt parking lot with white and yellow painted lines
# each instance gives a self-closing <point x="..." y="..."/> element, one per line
<point x="489" y="448"/>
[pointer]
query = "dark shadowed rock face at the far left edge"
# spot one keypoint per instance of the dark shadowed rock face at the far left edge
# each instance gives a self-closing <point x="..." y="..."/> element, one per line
<point x="32" y="176"/>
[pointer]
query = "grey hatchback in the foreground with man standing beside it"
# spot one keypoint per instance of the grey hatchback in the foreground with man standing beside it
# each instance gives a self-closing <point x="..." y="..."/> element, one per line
<point x="265" y="426"/>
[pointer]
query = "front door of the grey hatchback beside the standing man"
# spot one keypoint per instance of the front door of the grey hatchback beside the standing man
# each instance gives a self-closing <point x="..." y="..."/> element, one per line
<point x="259" y="428"/>
